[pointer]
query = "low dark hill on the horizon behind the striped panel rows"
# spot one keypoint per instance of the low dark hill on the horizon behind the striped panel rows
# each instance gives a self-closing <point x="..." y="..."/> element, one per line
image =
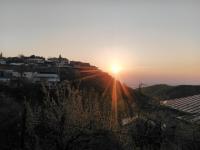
<point x="164" y="91"/>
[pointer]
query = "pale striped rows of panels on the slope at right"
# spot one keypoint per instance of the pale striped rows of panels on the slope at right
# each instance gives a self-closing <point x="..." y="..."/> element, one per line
<point x="190" y="105"/>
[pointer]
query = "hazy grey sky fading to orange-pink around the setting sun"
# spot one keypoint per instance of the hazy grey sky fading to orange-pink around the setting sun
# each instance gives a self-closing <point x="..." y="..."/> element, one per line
<point x="154" y="41"/>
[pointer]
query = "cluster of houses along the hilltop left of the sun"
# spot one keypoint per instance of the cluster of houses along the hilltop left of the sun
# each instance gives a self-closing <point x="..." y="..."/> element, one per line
<point x="36" y="69"/>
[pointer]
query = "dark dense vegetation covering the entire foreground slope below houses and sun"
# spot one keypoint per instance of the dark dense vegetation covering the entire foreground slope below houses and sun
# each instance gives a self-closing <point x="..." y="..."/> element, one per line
<point x="79" y="116"/>
